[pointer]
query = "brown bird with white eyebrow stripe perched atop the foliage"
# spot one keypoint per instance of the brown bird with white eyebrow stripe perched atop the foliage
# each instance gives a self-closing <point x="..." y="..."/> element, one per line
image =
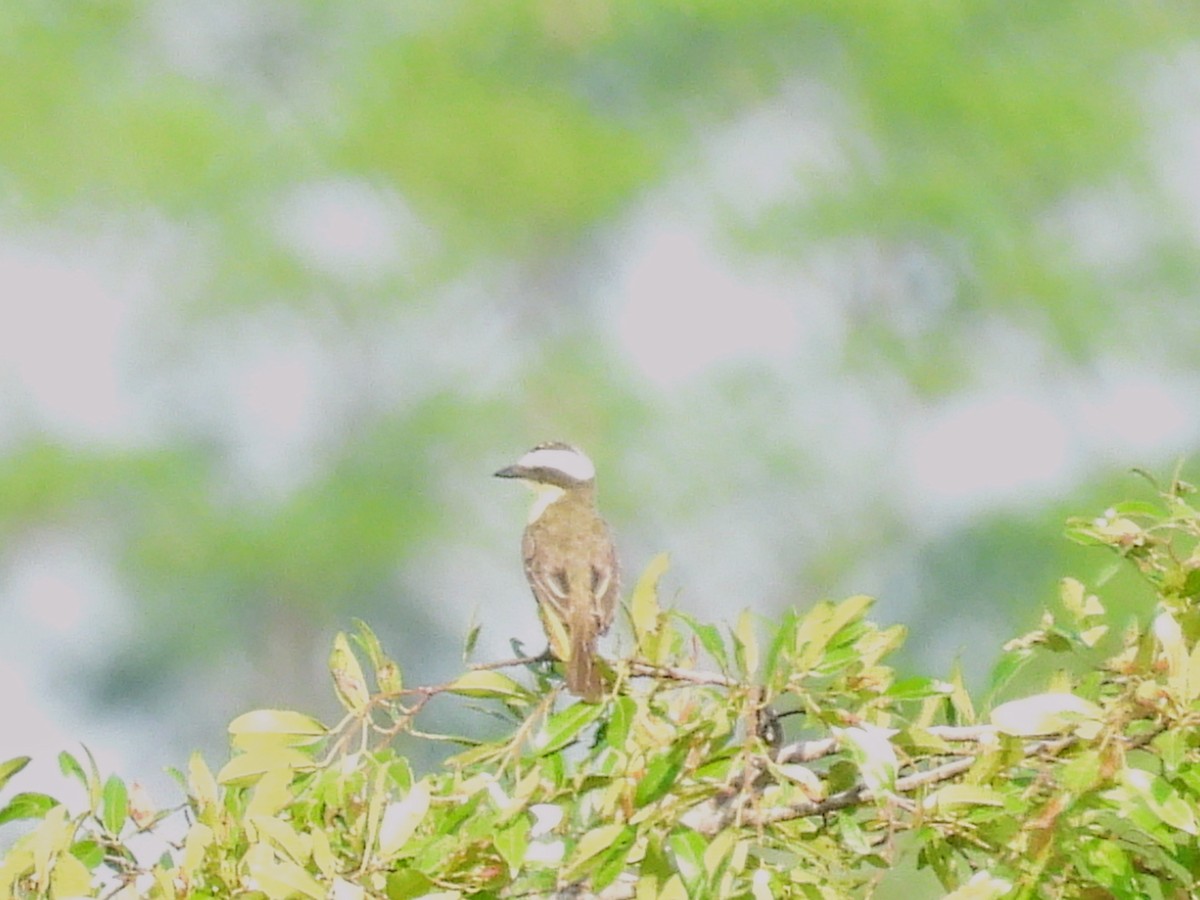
<point x="569" y="559"/>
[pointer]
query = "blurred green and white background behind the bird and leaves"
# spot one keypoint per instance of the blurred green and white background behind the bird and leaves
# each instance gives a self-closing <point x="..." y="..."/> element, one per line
<point x="842" y="297"/>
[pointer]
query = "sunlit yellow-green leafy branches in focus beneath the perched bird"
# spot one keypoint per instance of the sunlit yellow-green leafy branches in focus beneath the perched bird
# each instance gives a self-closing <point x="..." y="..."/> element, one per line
<point x="760" y="761"/>
